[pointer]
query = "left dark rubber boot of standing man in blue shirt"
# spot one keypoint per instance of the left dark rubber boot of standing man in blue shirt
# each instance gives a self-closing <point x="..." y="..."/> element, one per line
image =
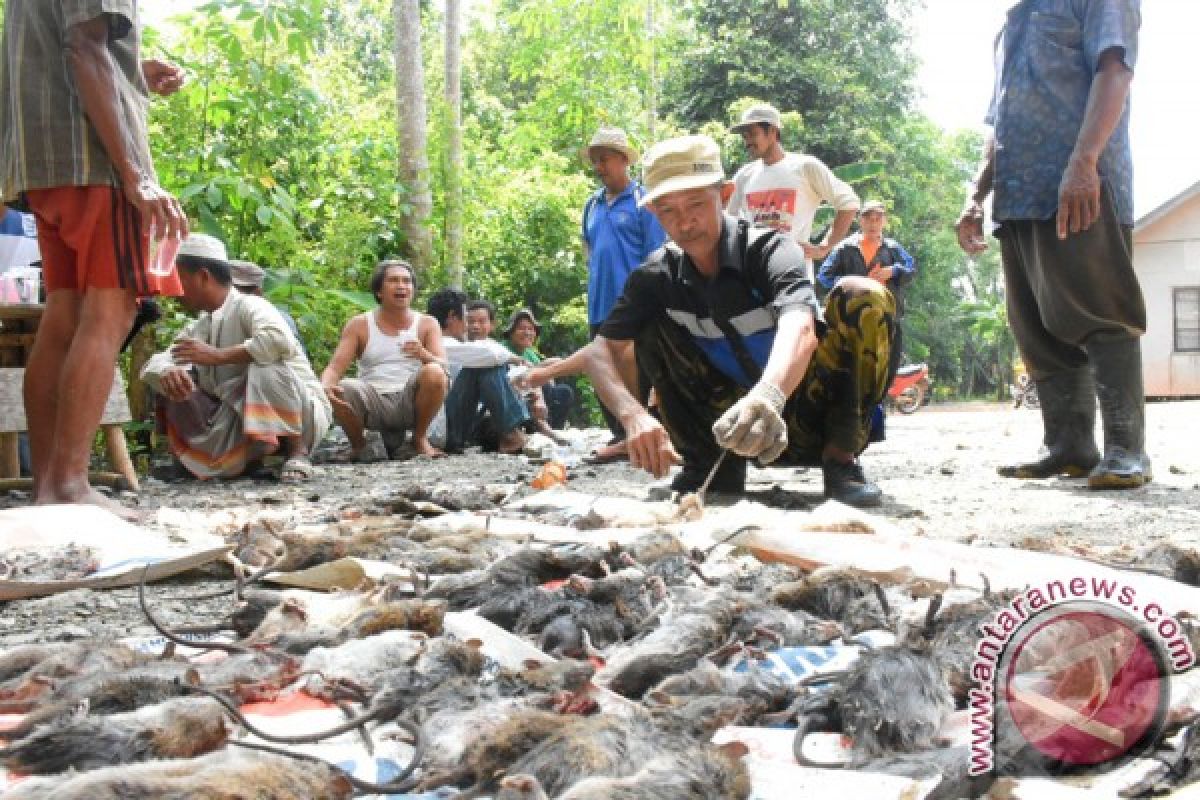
<point x="1069" y="418"/>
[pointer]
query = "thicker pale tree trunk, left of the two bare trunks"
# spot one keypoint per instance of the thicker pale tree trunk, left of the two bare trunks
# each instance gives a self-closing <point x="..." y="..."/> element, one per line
<point x="413" y="170"/>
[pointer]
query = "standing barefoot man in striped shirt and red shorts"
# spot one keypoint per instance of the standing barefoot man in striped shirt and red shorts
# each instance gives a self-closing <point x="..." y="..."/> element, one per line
<point x="74" y="145"/>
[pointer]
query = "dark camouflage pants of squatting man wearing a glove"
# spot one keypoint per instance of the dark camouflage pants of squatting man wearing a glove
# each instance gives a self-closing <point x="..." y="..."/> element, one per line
<point x="845" y="381"/>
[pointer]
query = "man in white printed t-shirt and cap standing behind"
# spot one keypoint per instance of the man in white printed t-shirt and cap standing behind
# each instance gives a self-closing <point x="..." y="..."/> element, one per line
<point x="784" y="190"/>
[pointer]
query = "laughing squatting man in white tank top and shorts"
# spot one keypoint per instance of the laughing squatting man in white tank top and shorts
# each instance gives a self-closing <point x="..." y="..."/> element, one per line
<point x="403" y="380"/>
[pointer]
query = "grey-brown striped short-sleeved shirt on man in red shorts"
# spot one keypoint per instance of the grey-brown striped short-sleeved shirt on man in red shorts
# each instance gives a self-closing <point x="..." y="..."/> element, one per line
<point x="46" y="140"/>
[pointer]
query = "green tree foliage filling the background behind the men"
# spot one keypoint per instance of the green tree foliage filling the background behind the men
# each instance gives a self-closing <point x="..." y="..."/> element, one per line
<point x="285" y="143"/>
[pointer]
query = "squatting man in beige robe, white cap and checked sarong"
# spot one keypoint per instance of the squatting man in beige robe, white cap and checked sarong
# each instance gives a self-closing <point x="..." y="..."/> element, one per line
<point x="237" y="383"/>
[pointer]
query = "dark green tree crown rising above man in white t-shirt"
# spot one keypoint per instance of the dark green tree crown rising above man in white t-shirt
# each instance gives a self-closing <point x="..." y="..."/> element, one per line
<point x="845" y="68"/>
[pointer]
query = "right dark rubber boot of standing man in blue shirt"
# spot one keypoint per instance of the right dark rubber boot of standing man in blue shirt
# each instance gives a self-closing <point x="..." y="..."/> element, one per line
<point x="1119" y="386"/>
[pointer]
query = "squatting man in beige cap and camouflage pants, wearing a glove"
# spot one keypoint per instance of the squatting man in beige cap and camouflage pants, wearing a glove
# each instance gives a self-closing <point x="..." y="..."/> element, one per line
<point x="740" y="353"/>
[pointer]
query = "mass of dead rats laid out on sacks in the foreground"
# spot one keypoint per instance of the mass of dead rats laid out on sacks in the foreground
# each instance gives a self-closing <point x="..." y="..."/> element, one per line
<point x="557" y="645"/>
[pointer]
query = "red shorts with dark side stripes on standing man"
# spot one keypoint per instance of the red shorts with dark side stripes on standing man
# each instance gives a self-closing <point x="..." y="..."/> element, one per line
<point x="92" y="238"/>
